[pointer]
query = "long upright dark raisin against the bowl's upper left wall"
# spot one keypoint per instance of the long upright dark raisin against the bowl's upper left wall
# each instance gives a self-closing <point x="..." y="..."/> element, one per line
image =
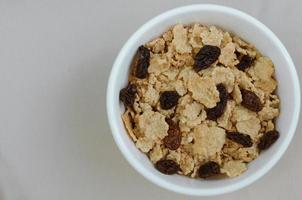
<point x="141" y="62"/>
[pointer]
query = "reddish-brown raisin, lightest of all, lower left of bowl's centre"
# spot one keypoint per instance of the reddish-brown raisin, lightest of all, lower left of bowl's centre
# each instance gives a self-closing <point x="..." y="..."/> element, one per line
<point x="173" y="140"/>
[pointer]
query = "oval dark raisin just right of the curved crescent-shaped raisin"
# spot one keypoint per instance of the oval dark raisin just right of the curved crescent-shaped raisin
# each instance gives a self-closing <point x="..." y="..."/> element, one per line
<point x="251" y="101"/>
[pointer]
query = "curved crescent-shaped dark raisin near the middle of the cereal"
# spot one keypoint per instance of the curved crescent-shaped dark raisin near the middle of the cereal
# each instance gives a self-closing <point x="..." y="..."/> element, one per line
<point x="218" y="110"/>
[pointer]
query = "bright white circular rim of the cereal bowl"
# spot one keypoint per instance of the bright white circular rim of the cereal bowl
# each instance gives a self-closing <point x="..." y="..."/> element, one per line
<point x="201" y="191"/>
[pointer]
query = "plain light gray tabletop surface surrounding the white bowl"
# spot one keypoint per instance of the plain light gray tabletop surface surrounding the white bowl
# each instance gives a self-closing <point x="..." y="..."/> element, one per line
<point x="55" y="57"/>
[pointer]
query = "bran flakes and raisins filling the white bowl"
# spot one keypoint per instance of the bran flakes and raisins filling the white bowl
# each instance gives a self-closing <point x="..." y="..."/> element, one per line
<point x="200" y="102"/>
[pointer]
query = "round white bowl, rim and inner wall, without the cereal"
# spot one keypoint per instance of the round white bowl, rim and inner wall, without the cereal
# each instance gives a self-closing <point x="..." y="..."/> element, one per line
<point x="245" y="27"/>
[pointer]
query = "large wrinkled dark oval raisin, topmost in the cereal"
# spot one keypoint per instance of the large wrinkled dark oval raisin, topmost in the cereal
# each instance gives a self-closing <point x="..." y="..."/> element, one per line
<point x="206" y="56"/>
